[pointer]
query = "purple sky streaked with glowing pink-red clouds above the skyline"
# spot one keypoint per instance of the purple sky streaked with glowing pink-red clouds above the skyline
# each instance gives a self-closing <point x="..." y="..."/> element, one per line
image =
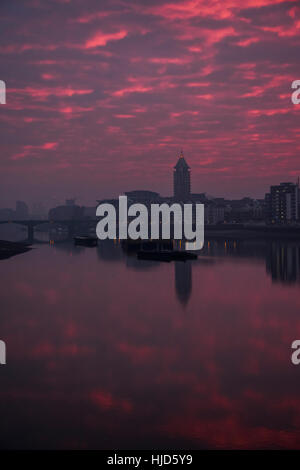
<point x="103" y="94"/>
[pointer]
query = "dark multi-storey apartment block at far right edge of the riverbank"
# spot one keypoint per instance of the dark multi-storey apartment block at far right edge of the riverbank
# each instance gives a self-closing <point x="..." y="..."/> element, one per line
<point x="282" y="203"/>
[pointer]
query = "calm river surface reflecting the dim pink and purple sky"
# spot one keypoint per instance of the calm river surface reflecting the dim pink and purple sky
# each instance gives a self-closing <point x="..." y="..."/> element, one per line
<point x="105" y="351"/>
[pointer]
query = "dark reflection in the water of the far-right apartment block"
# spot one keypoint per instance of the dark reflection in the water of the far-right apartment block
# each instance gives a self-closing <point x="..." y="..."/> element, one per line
<point x="283" y="261"/>
